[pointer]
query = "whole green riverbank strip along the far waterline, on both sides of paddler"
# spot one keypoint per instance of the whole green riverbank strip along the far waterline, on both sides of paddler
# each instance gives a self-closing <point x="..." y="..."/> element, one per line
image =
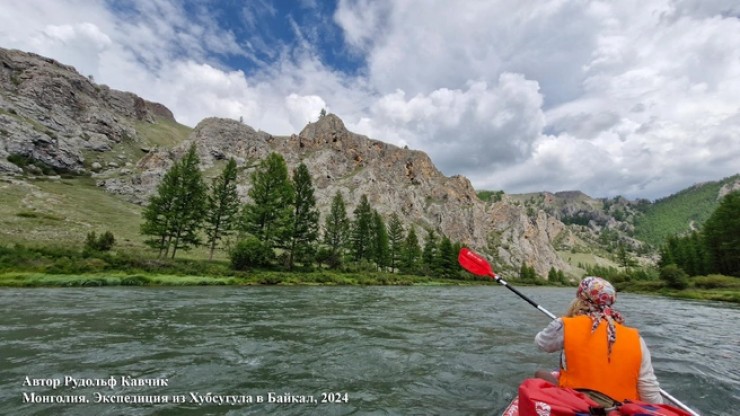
<point x="68" y="267"/>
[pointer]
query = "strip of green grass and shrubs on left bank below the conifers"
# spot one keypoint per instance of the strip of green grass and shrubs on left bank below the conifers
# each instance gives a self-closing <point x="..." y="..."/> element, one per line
<point x="24" y="266"/>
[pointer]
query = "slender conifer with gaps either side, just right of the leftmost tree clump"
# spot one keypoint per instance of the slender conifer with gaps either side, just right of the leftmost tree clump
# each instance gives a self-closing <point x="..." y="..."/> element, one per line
<point x="222" y="207"/>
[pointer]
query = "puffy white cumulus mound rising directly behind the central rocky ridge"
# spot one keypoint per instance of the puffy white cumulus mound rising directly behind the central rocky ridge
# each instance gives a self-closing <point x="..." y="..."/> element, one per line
<point x="466" y="130"/>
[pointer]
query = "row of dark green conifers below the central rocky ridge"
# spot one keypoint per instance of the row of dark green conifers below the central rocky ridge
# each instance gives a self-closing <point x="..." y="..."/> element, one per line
<point x="281" y="225"/>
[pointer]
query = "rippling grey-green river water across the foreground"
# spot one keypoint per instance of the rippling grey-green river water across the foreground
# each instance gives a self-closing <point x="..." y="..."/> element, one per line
<point x="362" y="350"/>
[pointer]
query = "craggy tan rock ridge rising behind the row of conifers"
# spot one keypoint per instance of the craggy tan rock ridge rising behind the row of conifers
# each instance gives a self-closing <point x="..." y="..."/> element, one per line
<point x="396" y="180"/>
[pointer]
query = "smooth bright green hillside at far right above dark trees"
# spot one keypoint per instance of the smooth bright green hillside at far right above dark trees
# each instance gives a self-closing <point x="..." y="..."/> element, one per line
<point x="678" y="213"/>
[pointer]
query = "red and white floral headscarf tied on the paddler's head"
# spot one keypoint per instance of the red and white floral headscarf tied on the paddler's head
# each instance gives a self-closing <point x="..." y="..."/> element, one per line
<point x="600" y="295"/>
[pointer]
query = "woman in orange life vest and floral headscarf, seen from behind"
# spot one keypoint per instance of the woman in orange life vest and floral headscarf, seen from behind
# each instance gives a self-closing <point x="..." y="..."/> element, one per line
<point x="598" y="352"/>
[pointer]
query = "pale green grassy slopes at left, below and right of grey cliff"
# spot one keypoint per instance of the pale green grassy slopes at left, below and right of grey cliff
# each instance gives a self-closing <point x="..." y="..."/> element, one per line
<point x="61" y="211"/>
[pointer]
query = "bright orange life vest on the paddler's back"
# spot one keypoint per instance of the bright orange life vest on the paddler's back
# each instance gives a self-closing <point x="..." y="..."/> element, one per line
<point x="587" y="362"/>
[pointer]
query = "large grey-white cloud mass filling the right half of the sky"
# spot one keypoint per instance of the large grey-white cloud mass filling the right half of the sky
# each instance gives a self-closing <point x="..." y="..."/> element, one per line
<point x="635" y="95"/>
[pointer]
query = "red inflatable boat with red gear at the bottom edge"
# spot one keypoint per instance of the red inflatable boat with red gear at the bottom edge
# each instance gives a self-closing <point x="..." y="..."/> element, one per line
<point x="537" y="397"/>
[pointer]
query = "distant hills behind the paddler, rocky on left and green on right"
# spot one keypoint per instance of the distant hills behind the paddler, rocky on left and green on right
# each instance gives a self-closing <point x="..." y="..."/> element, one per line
<point x="602" y="224"/>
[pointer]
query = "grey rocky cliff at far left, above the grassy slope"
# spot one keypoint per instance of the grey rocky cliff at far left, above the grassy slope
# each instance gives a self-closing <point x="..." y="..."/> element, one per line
<point x="49" y="113"/>
